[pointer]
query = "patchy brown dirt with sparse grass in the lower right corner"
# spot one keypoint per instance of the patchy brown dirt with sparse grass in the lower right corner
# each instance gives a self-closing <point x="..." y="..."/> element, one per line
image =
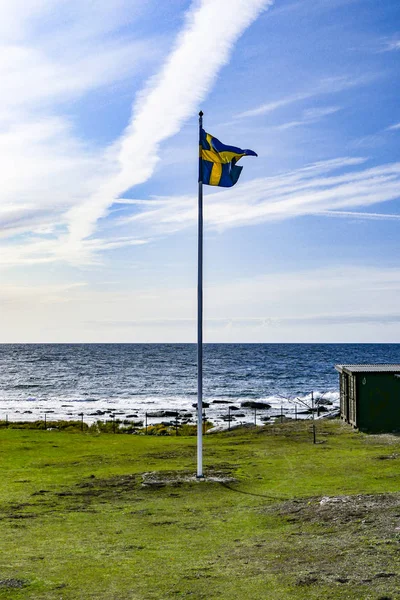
<point x="349" y="541"/>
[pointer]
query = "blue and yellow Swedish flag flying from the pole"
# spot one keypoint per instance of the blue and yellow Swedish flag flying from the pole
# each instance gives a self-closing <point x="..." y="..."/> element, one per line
<point x="218" y="162"/>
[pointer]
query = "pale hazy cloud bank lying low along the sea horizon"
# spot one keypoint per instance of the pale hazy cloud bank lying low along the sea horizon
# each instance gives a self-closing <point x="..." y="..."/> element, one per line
<point x="333" y="303"/>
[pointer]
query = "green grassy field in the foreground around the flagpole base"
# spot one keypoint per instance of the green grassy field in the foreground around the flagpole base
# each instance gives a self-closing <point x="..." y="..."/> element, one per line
<point x="289" y="520"/>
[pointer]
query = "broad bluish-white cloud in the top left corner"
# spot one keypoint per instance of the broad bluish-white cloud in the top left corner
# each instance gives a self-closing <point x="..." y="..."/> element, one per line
<point x="52" y="52"/>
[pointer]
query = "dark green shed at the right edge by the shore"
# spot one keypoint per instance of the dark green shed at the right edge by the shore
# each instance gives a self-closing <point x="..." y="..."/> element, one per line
<point x="370" y="396"/>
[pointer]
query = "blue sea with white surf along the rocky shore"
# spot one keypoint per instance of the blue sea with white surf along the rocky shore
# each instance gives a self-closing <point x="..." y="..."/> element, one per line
<point x="141" y="381"/>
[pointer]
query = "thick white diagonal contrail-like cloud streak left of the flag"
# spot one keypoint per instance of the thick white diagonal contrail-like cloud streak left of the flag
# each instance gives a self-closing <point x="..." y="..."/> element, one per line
<point x="168" y="100"/>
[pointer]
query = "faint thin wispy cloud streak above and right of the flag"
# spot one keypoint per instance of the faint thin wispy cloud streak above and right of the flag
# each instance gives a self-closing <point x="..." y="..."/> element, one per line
<point x="326" y="86"/>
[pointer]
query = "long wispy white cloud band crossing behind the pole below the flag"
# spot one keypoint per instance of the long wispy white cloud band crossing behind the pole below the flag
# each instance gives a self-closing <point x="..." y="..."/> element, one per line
<point x="308" y="191"/>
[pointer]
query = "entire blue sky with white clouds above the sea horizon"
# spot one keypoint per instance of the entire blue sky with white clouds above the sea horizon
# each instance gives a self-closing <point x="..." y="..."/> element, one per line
<point x="98" y="139"/>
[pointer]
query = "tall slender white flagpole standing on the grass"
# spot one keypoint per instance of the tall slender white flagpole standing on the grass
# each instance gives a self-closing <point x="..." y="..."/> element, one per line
<point x="200" y="318"/>
